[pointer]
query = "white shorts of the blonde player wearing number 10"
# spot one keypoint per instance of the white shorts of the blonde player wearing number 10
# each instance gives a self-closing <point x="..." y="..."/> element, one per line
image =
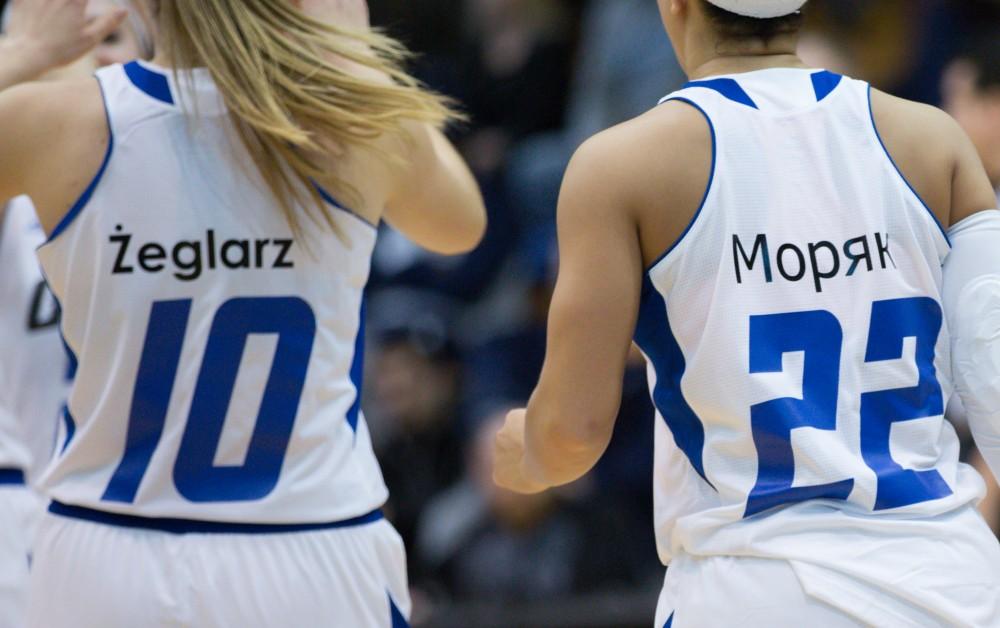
<point x="95" y="575"/>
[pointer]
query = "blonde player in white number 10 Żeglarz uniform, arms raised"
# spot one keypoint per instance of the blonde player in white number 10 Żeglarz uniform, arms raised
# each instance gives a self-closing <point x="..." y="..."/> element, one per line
<point x="216" y="469"/>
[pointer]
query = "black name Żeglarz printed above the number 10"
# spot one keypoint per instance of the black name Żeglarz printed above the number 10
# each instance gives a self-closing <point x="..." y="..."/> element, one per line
<point x="190" y="258"/>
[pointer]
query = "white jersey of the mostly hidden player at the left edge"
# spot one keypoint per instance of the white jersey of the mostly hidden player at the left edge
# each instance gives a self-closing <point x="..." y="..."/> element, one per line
<point x="33" y="369"/>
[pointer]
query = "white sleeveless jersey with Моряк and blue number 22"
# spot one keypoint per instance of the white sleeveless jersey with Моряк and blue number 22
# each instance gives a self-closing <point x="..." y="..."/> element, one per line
<point x="799" y="360"/>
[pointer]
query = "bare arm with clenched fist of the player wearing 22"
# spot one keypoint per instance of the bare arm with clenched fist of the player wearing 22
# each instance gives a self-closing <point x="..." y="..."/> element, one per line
<point x="612" y="191"/>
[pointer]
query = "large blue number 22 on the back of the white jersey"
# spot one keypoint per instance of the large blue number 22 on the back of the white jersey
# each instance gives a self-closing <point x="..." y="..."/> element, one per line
<point x="820" y="336"/>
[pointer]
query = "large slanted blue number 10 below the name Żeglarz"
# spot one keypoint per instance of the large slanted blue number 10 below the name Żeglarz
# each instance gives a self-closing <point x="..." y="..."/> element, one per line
<point x="196" y="475"/>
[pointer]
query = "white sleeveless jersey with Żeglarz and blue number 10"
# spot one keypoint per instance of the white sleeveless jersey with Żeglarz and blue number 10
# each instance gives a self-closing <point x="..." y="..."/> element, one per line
<point x="219" y="351"/>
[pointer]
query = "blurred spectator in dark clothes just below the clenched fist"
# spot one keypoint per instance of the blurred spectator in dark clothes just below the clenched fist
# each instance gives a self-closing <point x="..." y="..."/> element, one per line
<point x="487" y="543"/>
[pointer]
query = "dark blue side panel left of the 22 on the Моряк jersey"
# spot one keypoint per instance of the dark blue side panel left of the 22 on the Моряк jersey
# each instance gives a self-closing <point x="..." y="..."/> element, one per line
<point x="656" y="339"/>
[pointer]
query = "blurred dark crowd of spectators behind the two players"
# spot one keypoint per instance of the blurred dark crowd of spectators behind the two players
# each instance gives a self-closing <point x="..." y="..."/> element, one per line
<point x="454" y="343"/>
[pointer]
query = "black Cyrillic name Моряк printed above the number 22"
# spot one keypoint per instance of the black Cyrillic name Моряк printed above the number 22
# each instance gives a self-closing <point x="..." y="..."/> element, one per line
<point x="820" y="261"/>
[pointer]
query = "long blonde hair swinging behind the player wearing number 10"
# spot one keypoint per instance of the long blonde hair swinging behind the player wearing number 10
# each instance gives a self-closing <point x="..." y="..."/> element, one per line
<point x="281" y="75"/>
